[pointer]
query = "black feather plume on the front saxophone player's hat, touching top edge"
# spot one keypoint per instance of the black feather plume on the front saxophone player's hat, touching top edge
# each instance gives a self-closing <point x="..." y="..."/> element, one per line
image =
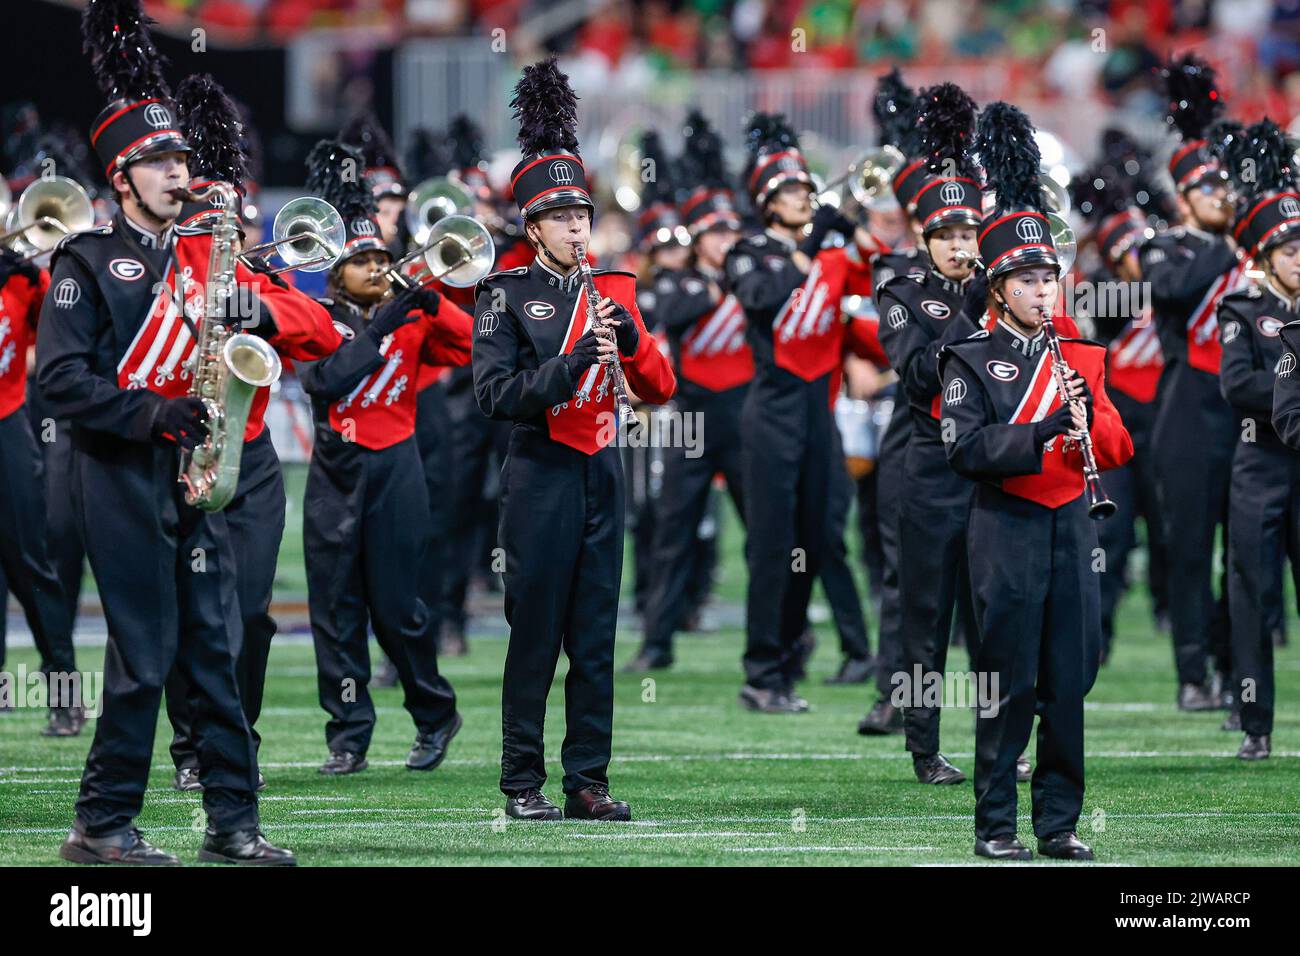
<point x="123" y="57"/>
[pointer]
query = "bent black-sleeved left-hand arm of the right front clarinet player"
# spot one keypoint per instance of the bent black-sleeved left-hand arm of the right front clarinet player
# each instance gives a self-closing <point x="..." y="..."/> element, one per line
<point x="978" y="445"/>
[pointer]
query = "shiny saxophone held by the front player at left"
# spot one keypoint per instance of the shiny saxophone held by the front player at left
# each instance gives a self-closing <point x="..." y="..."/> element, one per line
<point x="228" y="369"/>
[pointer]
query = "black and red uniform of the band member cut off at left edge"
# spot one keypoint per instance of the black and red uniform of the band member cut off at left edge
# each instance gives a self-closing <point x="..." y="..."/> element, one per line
<point x="25" y="560"/>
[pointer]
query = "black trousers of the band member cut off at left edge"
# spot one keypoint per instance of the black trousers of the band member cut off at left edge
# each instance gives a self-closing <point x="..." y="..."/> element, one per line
<point x="27" y="564"/>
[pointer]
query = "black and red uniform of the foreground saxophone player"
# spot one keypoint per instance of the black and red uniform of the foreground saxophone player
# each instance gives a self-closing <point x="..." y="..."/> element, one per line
<point x="114" y="348"/>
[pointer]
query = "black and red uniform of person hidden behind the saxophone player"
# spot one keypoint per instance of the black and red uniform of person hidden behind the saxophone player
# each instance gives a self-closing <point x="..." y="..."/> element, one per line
<point x="300" y="330"/>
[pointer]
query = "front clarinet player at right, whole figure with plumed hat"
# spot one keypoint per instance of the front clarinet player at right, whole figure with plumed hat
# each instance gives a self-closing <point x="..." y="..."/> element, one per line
<point x="1038" y="615"/>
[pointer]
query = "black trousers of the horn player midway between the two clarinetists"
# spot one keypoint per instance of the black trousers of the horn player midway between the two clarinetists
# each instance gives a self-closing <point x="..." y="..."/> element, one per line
<point x="786" y="469"/>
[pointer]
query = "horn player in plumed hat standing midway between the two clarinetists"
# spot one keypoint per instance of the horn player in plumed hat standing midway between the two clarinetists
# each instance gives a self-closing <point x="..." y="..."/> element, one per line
<point x="790" y="289"/>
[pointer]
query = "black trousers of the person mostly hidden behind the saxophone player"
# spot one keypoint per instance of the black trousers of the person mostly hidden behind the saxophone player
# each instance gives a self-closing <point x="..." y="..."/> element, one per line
<point x="255" y="518"/>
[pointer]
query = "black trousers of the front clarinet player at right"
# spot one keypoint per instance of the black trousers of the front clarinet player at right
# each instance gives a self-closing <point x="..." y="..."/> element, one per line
<point x="1038" y="607"/>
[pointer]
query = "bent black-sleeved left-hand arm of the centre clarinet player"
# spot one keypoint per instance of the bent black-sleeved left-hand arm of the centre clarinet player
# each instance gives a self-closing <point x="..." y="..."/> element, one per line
<point x="504" y="390"/>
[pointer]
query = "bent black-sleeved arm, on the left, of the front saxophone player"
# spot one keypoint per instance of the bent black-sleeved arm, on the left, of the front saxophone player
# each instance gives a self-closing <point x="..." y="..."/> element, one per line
<point x="67" y="344"/>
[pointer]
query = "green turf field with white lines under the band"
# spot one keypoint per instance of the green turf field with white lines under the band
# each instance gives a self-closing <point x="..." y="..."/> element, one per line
<point x="709" y="784"/>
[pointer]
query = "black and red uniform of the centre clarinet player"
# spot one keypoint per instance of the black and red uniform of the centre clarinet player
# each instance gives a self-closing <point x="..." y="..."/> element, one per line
<point x="561" y="509"/>
